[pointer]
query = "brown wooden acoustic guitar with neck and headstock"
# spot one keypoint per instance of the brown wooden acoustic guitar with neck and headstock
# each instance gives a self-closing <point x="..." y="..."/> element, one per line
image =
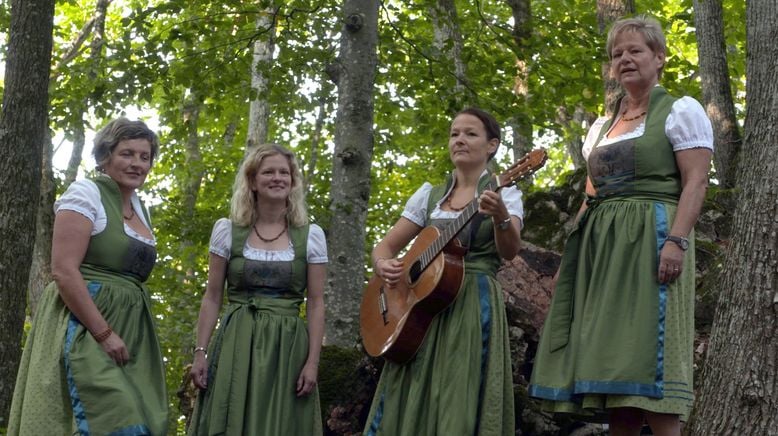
<point x="393" y="321"/>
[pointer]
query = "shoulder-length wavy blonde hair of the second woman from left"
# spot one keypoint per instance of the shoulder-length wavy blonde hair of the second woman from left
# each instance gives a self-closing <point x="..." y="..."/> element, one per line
<point x="244" y="200"/>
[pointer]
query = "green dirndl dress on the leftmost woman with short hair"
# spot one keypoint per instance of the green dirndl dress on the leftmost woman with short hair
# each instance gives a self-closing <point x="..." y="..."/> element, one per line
<point x="66" y="383"/>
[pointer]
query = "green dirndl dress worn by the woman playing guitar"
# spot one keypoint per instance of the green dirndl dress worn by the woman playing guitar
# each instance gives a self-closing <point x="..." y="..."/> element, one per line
<point x="460" y="381"/>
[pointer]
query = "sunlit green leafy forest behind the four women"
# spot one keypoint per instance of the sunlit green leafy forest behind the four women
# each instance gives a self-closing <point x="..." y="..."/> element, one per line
<point x="363" y="92"/>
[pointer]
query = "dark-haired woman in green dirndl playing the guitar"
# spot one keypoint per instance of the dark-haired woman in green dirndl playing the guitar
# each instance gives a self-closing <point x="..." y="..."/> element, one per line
<point x="460" y="380"/>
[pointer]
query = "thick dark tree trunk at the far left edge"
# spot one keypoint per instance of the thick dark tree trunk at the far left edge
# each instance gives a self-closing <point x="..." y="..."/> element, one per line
<point x="22" y="135"/>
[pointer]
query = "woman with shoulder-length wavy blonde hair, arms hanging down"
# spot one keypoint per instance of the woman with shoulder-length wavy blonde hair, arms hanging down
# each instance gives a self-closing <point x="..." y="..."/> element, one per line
<point x="259" y="375"/>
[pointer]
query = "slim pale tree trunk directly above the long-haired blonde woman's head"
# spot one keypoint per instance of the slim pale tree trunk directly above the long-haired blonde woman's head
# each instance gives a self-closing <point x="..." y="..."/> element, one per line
<point x="261" y="64"/>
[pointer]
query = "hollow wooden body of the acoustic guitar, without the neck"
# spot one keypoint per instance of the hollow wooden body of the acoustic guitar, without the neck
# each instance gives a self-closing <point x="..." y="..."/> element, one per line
<point x="394" y="321"/>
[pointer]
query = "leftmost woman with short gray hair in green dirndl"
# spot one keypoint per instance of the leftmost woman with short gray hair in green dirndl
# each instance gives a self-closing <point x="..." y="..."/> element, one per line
<point x="92" y="362"/>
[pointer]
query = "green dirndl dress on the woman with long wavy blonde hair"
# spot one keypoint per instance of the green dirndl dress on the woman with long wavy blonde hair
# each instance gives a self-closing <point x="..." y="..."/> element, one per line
<point x="259" y="349"/>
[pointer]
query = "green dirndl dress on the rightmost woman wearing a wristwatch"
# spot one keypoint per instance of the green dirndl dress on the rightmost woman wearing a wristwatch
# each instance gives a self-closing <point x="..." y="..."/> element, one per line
<point x="615" y="336"/>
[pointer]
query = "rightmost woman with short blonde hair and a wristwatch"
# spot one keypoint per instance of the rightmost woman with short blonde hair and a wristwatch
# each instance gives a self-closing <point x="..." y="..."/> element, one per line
<point x="617" y="343"/>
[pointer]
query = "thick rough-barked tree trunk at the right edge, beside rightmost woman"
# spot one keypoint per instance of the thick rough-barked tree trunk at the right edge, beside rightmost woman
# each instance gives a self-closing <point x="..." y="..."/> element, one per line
<point x="741" y="370"/>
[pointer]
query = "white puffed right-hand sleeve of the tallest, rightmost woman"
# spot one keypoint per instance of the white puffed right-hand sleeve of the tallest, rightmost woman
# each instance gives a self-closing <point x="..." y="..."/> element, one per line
<point x="688" y="126"/>
